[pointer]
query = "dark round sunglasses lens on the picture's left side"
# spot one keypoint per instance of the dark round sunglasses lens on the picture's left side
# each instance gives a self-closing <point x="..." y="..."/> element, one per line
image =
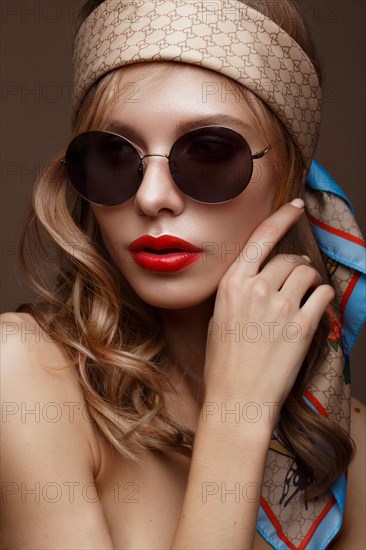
<point x="103" y="167"/>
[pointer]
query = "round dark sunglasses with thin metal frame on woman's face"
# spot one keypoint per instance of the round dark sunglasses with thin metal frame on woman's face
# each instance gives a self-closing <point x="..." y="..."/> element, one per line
<point x="211" y="164"/>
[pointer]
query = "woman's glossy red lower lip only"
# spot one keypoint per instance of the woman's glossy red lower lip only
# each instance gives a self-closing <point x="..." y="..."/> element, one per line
<point x="165" y="263"/>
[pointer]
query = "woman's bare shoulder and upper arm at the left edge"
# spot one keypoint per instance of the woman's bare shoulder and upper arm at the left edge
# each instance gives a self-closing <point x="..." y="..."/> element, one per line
<point x="47" y="465"/>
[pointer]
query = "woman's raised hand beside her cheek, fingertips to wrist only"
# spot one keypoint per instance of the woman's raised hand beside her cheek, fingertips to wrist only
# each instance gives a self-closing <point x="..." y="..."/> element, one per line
<point x="259" y="335"/>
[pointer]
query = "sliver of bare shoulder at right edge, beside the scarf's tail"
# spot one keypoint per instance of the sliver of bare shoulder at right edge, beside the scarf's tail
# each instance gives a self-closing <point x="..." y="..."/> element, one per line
<point x="353" y="534"/>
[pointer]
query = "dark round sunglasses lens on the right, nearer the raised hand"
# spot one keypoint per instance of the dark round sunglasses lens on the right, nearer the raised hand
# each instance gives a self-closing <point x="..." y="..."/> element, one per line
<point x="211" y="164"/>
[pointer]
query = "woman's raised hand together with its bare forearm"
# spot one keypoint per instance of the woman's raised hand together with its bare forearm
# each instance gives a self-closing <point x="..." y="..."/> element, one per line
<point x="257" y="340"/>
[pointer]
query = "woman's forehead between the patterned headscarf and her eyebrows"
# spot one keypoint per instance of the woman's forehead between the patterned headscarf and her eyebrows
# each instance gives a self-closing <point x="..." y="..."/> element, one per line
<point x="170" y="89"/>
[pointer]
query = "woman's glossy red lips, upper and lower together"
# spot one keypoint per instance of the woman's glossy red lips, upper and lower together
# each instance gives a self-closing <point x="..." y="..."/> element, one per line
<point x="165" y="254"/>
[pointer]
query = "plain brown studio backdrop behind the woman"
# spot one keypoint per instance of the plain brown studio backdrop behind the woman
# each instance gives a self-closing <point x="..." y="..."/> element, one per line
<point x="36" y="91"/>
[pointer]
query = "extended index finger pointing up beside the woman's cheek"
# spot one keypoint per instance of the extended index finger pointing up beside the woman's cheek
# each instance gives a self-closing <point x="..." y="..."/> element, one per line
<point x="266" y="236"/>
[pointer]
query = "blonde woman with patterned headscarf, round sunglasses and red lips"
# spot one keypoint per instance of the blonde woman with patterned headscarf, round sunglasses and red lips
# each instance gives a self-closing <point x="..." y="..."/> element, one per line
<point x="188" y="378"/>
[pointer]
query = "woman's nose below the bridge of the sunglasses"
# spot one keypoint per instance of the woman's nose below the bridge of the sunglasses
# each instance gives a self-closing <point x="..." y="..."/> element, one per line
<point x="158" y="191"/>
